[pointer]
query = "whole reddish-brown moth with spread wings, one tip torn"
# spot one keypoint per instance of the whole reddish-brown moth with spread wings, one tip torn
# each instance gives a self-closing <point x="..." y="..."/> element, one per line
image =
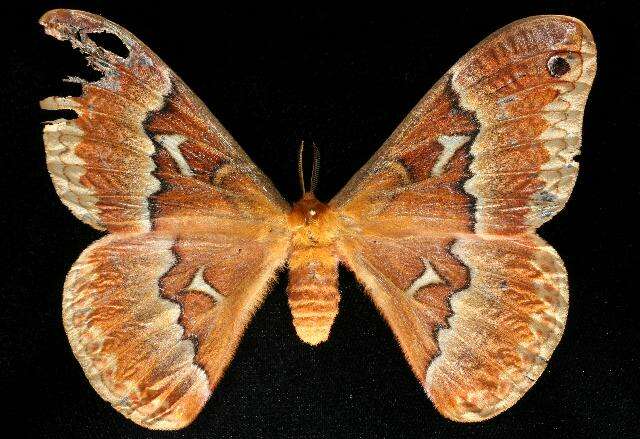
<point x="438" y="226"/>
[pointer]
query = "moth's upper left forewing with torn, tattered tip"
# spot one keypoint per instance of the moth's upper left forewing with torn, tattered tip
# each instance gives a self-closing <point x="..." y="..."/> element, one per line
<point x="143" y="145"/>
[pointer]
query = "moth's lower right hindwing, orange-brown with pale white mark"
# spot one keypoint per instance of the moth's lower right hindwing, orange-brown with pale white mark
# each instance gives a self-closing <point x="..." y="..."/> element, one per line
<point x="477" y="317"/>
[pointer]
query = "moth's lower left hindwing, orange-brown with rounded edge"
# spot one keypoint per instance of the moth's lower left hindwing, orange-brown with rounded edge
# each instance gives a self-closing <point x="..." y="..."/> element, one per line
<point x="154" y="320"/>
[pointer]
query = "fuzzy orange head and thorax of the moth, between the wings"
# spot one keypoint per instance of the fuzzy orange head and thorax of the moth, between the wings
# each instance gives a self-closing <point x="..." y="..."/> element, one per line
<point x="313" y="223"/>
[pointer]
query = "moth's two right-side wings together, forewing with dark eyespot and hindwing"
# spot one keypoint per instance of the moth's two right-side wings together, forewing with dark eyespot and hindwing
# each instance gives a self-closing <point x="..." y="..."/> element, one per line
<point x="440" y="224"/>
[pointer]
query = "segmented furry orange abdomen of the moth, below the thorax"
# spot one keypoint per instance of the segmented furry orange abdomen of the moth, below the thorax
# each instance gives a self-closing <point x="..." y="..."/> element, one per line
<point x="313" y="292"/>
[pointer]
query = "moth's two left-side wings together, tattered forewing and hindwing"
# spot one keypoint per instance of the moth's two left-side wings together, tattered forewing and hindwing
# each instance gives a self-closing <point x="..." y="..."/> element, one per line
<point x="155" y="310"/>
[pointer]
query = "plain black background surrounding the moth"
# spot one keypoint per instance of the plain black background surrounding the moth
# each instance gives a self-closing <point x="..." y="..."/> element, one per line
<point x="344" y="79"/>
